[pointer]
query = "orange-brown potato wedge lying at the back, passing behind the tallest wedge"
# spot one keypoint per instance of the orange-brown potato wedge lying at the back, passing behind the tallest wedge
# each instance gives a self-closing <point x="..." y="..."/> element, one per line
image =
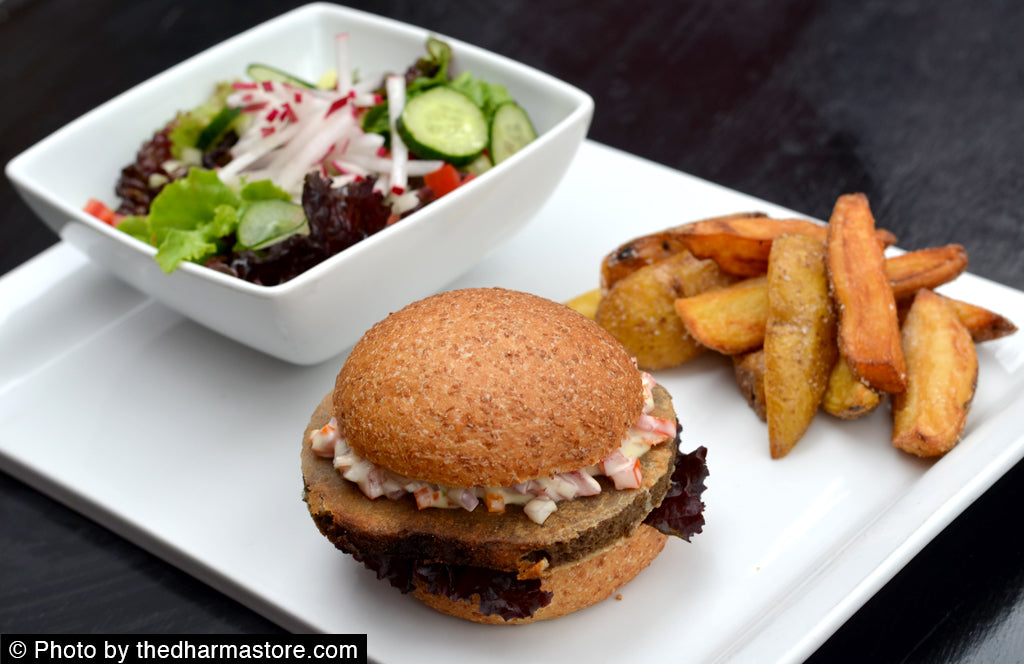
<point x="740" y="244"/>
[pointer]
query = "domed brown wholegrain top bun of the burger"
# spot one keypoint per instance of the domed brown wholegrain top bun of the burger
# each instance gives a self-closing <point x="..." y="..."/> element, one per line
<point x="487" y="388"/>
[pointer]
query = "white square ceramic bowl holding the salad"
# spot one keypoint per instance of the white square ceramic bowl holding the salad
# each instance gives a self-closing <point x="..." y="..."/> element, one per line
<point x="319" y="314"/>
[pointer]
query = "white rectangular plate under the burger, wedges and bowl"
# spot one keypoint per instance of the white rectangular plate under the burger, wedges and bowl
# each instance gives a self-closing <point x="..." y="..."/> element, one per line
<point x="188" y="445"/>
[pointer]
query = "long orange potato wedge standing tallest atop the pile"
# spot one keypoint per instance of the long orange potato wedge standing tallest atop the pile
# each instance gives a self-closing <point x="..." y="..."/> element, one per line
<point x="869" y="328"/>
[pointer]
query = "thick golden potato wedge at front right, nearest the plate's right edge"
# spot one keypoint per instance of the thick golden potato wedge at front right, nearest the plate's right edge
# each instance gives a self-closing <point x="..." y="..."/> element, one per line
<point x="943" y="375"/>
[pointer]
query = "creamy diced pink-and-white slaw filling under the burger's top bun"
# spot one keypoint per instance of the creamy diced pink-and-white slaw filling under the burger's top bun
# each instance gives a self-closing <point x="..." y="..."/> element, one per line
<point x="538" y="497"/>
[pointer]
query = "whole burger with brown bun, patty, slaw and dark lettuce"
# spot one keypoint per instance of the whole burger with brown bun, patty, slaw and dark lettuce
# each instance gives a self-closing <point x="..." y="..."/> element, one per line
<point x="500" y="458"/>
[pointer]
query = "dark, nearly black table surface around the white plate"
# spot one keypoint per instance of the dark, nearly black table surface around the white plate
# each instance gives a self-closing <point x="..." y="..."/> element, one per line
<point x="920" y="105"/>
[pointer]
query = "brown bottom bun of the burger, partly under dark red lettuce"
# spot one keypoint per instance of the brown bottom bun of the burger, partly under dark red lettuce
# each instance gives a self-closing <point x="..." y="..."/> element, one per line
<point x="574" y="587"/>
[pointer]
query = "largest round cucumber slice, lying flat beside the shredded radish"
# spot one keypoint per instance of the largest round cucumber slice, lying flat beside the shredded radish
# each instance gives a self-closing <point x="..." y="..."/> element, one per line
<point x="443" y="123"/>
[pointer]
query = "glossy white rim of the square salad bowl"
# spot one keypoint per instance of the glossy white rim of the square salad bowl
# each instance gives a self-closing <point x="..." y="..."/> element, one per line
<point x="18" y="172"/>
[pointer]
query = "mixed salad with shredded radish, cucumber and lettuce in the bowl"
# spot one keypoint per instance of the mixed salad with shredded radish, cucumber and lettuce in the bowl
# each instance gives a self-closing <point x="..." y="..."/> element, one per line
<point x="274" y="175"/>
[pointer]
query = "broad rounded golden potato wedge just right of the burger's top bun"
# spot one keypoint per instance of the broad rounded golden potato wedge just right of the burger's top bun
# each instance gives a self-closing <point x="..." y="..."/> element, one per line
<point x="639" y="311"/>
